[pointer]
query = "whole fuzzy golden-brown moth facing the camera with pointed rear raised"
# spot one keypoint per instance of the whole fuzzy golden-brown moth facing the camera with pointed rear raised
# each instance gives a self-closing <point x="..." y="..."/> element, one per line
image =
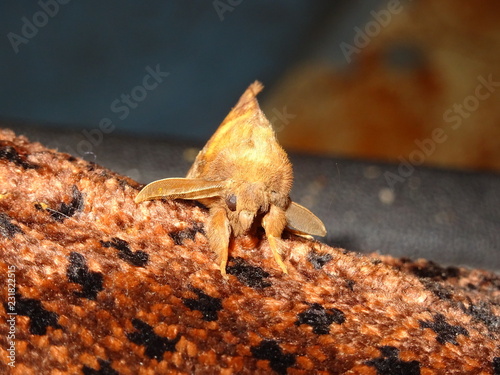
<point x="244" y="178"/>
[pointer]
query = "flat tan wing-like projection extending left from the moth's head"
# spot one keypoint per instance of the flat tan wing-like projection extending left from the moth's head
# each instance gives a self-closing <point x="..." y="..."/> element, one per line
<point x="180" y="188"/>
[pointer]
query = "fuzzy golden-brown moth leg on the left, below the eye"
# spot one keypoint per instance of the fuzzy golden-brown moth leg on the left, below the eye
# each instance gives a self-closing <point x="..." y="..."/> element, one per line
<point x="218" y="233"/>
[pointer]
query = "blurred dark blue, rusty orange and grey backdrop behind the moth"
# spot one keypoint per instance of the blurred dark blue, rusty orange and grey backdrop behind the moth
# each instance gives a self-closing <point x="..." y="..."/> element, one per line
<point x="389" y="108"/>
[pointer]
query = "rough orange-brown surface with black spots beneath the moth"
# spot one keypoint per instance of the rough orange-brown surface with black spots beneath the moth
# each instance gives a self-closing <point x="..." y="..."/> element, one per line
<point x="105" y="286"/>
